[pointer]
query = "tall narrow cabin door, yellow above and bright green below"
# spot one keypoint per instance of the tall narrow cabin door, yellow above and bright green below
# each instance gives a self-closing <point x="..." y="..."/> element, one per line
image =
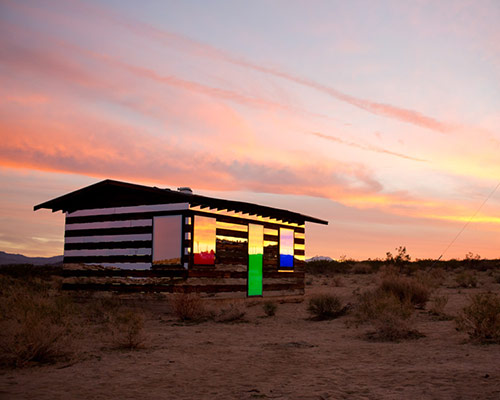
<point x="255" y="257"/>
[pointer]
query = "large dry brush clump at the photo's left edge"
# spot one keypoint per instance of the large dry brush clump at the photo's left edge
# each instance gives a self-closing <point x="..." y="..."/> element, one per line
<point x="35" y="325"/>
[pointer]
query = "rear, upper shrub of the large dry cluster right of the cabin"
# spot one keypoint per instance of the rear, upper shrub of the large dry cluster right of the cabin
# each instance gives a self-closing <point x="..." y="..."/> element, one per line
<point x="406" y="289"/>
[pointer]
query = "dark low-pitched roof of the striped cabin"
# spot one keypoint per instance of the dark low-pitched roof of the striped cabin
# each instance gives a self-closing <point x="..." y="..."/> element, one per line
<point x="111" y="193"/>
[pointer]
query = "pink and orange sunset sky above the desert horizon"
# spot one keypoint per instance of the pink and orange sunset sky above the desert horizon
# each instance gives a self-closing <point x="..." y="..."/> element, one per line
<point x="382" y="117"/>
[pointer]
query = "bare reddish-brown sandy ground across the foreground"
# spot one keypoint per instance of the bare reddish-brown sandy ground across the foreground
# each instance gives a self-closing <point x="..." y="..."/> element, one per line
<point x="286" y="356"/>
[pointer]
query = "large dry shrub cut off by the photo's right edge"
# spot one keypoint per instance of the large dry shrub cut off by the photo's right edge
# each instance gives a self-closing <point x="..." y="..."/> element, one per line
<point x="480" y="319"/>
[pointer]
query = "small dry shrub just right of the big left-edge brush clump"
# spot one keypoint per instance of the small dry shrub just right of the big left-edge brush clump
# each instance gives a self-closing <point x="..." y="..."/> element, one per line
<point x="127" y="329"/>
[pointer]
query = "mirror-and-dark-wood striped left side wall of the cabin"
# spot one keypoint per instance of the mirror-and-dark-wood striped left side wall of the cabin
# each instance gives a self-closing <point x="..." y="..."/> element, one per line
<point x="121" y="237"/>
